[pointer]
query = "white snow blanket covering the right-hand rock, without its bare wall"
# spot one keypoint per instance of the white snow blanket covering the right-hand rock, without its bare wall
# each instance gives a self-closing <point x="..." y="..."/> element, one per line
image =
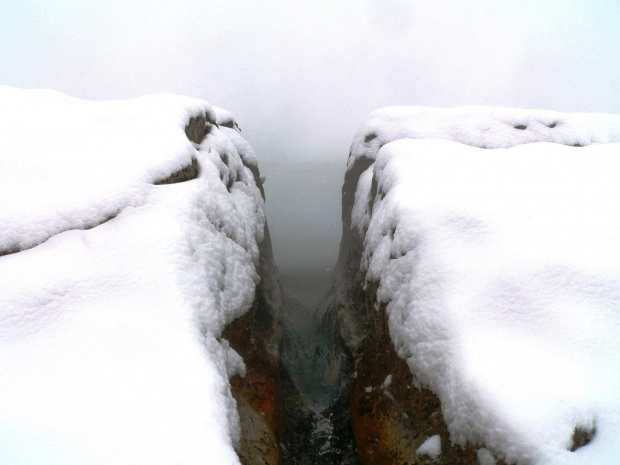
<point x="501" y="270"/>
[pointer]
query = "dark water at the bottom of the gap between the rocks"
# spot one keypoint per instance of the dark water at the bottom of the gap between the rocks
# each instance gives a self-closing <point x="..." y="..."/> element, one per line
<point x="315" y="372"/>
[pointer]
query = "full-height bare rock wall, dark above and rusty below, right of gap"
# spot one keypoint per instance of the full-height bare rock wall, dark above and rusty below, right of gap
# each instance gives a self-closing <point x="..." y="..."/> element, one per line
<point x="391" y="419"/>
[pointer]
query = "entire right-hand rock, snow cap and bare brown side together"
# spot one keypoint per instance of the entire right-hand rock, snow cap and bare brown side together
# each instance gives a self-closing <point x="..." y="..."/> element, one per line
<point x="478" y="279"/>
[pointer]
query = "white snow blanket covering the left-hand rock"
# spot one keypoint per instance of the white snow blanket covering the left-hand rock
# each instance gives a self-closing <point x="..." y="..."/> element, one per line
<point x="110" y="349"/>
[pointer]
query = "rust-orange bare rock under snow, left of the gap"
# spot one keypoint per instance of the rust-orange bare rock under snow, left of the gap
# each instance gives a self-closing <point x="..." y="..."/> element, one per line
<point x="258" y="394"/>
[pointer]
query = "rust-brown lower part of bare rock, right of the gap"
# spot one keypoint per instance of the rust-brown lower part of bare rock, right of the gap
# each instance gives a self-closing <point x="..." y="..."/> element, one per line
<point x="392" y="419"/>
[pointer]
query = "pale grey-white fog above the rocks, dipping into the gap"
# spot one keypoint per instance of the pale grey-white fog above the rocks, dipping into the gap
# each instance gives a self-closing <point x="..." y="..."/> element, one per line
<point x="301" y="77"/>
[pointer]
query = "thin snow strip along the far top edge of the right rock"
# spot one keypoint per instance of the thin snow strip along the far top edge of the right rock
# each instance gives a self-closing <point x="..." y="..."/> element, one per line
<point x="484" y="127"/>
